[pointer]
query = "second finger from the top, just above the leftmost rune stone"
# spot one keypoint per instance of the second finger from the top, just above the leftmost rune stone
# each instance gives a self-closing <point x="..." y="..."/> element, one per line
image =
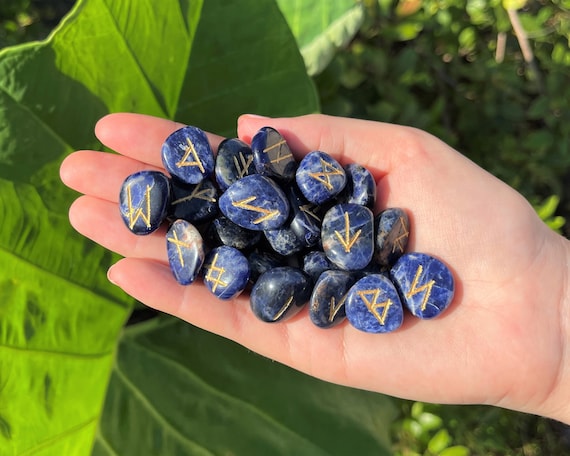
<point x="99" y="174"/>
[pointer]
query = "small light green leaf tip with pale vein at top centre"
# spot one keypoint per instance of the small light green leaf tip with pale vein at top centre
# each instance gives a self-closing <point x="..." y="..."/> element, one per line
<point x="321" y="27"/>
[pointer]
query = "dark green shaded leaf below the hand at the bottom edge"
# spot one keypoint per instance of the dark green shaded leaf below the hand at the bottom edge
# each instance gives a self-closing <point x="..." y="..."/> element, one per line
<point x="223" y="402"/>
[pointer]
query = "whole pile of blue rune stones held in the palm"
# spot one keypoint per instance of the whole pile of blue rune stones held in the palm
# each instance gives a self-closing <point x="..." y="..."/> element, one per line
<point x="253" y="218"/>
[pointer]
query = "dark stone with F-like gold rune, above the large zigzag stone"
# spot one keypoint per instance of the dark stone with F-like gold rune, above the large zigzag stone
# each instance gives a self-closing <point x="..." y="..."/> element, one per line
<point x="233" y="161"/>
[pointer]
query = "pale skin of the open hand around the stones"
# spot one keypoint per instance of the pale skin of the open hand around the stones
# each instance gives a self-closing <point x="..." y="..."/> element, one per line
<point x="503" y="341"/>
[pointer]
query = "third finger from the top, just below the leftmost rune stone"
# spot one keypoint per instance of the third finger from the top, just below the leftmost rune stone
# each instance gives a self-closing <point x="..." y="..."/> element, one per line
<point x="100" y="221"/>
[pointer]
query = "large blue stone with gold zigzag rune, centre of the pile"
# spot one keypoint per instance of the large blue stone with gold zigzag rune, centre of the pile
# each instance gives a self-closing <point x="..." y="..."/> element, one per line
<point x="256" y="203"/>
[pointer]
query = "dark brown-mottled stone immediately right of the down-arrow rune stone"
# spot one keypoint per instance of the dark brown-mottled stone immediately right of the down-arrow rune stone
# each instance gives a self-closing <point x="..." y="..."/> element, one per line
<point x="392" y="228"/>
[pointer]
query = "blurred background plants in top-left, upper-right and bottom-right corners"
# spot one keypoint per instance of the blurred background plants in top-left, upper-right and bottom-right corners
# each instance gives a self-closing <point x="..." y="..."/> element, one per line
<point x="491" y="78"/>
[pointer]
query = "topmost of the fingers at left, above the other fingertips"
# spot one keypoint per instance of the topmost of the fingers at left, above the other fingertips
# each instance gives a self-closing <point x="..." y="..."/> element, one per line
<point x="140" y="136"/>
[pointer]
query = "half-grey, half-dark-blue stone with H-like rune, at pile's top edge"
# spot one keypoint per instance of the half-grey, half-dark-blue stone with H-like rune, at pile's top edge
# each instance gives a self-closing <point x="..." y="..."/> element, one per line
<point x="272" y="156"/>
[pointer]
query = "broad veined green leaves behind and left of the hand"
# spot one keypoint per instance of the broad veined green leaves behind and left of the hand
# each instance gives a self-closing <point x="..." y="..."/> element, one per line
<point x="168" y="388"/>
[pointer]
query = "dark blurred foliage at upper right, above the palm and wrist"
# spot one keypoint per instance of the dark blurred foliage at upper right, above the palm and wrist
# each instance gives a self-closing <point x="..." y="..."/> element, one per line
<point x="434" y="64"/>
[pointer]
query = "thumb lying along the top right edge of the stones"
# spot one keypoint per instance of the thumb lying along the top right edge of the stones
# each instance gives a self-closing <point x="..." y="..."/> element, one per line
<point x="371" y="144"/>
